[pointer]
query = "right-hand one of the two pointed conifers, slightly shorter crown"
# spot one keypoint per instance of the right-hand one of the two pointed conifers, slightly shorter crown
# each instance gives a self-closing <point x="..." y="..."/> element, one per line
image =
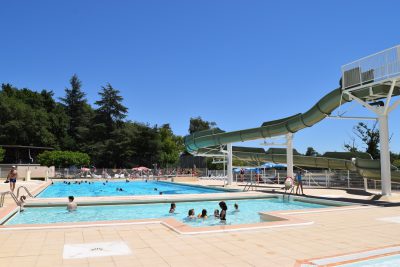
<point x="111" y="111"/>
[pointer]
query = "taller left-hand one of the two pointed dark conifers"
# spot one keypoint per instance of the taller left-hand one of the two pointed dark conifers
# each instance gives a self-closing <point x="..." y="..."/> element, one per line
<point x="79" y="113"/>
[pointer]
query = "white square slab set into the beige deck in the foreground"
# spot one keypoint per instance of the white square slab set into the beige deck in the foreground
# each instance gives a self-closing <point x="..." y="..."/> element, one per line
<point x="89" y="250"/>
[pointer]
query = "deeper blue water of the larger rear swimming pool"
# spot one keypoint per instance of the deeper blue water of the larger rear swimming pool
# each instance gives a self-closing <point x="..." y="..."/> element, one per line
<point x="97" y="189"/>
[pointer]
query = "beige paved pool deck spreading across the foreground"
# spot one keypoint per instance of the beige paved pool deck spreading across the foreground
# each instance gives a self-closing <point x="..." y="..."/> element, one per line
<point x="332" y="233"/>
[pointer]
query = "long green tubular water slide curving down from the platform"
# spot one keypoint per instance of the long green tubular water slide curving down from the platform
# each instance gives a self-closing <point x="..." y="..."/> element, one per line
<point x="205" y="141"/>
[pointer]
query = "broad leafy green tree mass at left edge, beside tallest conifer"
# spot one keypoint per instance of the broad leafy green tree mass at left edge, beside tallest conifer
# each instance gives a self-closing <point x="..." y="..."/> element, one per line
<point x="25" y="117"/>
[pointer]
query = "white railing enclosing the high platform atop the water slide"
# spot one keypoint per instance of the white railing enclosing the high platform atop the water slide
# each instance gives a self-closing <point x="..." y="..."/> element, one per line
<point x="371" y="69"/>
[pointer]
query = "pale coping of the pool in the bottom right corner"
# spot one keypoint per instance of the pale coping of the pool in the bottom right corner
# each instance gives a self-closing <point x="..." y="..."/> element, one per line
<point x="354" y="257"/>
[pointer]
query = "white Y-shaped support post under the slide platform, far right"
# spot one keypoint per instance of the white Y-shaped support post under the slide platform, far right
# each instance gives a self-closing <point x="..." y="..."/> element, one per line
<point x="383" y="114"/>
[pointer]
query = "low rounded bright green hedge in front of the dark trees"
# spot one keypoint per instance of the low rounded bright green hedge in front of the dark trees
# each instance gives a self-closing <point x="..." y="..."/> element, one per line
<point x="63" y="158"/>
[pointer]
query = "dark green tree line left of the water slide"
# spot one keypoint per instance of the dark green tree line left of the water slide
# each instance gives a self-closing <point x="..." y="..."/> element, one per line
<point x="35" y="118"/>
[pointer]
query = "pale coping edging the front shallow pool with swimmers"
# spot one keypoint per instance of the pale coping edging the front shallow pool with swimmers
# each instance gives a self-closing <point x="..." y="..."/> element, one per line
<point x="281" y="218"/>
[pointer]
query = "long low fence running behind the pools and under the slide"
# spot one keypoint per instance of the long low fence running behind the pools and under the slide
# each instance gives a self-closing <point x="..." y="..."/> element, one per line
<point x="311" y="178"/>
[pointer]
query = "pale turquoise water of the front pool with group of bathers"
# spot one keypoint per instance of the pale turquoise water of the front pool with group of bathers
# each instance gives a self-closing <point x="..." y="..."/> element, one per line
<point x="248" y="212"/>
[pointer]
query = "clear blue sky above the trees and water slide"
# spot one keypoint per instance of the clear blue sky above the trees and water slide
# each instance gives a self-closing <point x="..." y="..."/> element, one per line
<point x="237" y="63"/>
